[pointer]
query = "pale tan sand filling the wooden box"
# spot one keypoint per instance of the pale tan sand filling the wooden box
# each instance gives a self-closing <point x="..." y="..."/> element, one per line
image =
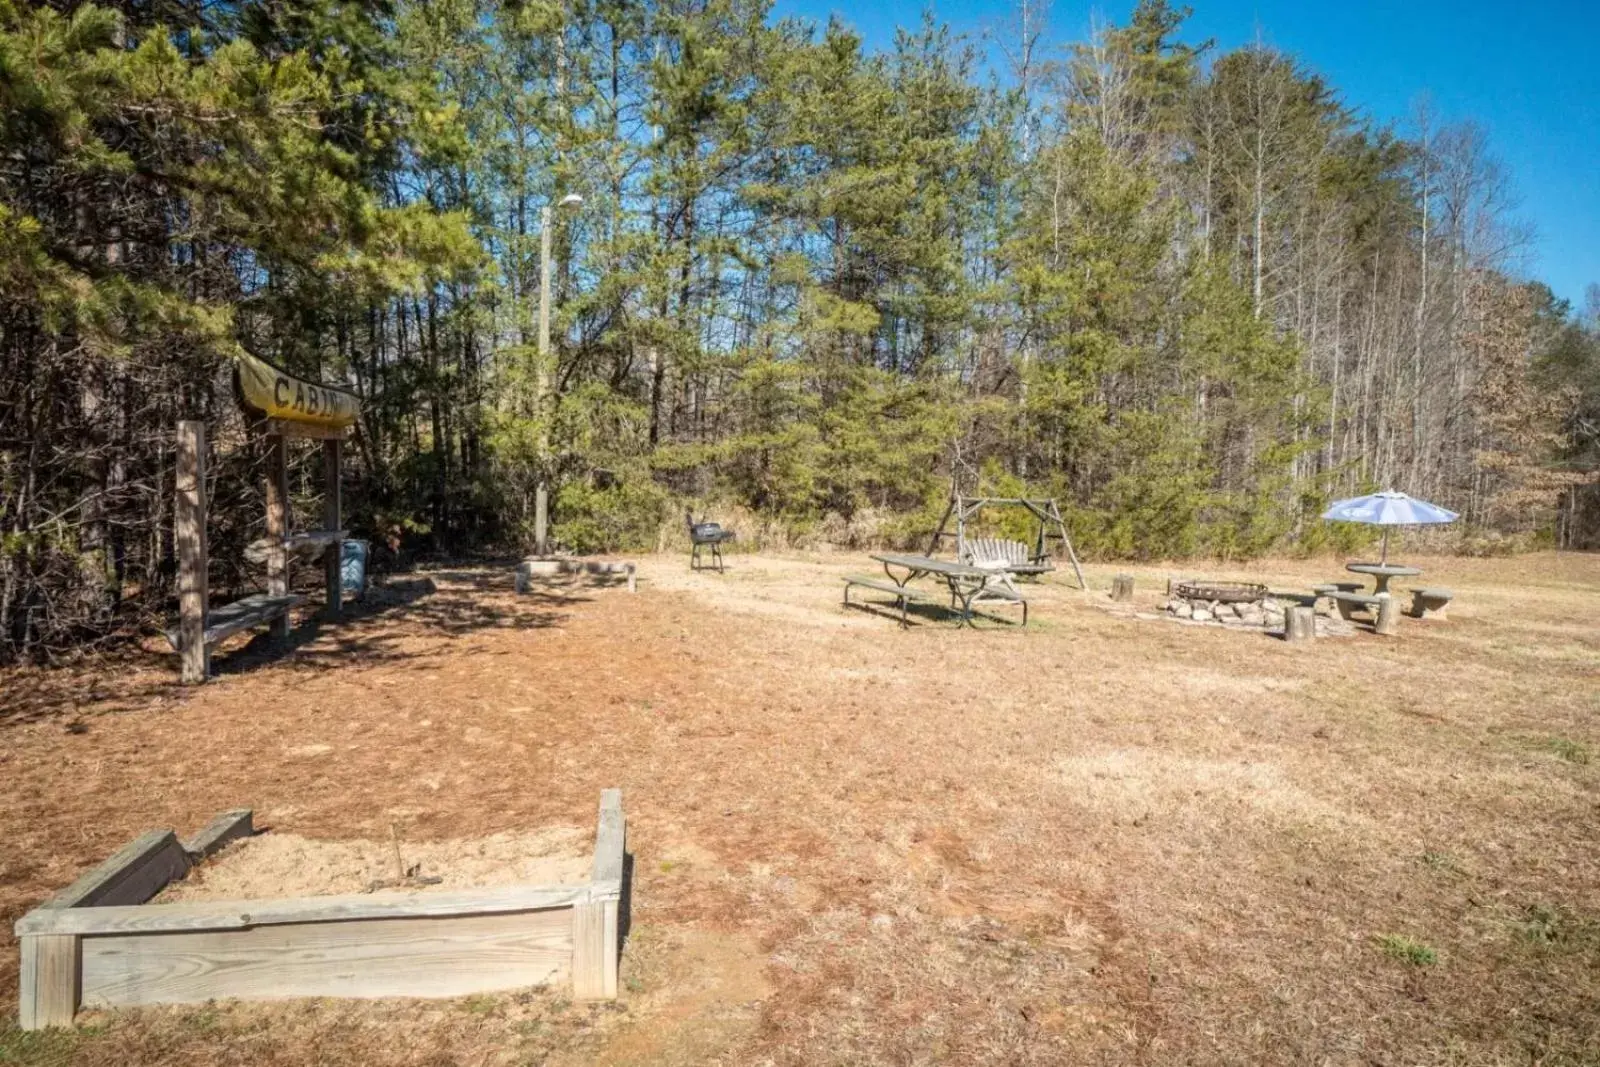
<point x="287" y="865"/>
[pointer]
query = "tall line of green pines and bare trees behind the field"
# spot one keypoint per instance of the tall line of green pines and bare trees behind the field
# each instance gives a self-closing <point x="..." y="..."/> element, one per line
<point x="1191" y="294"/>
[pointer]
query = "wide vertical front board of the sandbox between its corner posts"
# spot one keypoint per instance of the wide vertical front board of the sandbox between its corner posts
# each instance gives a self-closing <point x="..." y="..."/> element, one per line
<point x="390" y="957"/>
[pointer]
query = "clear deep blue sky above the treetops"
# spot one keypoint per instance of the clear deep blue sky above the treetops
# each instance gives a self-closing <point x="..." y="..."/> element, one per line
<point x="1526" y="71"/>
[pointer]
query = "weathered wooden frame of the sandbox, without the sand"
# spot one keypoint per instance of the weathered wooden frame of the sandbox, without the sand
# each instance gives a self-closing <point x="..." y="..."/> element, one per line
<point x="98" y="945"/>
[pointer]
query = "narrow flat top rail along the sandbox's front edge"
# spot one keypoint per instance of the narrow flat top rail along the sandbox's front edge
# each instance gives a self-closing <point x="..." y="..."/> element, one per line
<point x="154" y="919"/>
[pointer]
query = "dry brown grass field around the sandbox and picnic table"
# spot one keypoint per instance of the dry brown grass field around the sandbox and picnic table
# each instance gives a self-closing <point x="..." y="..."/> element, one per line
<point x="1098" y="841"/>
